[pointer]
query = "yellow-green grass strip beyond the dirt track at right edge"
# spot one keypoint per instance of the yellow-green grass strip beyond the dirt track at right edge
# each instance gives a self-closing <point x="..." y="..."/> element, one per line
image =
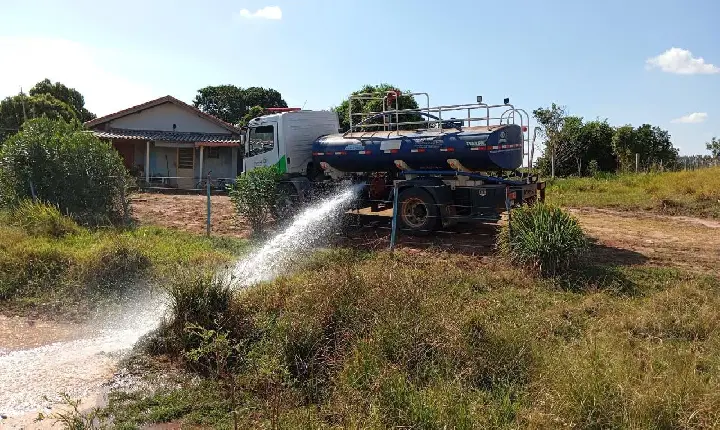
<point x="693" y="193"/>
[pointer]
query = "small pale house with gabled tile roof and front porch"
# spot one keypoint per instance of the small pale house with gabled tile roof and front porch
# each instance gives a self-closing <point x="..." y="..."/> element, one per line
<point x="171" y="142"/>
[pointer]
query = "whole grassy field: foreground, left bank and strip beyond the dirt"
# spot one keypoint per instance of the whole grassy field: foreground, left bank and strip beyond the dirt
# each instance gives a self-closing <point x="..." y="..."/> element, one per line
<point x="417" y="338"/>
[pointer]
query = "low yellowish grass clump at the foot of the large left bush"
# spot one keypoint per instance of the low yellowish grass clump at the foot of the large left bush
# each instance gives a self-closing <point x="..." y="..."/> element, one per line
<point x="43" y="219"/>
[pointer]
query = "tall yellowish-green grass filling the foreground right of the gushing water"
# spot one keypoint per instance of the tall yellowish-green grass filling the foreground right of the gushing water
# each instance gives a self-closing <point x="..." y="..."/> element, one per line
<point x="441" y="341"/>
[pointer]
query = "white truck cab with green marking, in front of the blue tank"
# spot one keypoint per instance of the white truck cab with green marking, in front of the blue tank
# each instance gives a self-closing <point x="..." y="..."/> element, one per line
<point x="285" y="139"/>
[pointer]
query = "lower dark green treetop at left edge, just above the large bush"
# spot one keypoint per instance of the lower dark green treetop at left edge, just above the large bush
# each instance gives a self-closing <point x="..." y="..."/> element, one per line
<point x="16" y="109"/>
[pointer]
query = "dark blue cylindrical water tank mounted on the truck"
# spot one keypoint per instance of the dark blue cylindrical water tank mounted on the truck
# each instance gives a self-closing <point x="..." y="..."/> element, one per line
<point x="477" y="148"/>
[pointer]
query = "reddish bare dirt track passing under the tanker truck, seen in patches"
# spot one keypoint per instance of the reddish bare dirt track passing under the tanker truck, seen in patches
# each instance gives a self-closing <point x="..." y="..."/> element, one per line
<point x="623" y="237"/>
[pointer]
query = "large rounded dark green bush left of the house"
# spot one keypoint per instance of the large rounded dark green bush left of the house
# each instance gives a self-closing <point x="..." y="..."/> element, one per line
<point x="63" y="165"/>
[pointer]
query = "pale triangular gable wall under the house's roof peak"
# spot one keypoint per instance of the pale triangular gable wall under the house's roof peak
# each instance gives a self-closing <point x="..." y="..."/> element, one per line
<point x="163" y="117"/>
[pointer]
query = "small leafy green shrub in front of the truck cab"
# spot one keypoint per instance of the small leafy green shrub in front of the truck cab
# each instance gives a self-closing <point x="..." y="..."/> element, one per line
<point x="254" y="195"/>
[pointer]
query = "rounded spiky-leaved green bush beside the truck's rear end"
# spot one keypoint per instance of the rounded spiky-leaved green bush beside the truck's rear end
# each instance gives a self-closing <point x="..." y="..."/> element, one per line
<point x="542" y="237"/>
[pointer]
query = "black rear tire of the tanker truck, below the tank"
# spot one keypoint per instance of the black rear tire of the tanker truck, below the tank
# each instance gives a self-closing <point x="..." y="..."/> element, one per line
<point x="417" y="212"/>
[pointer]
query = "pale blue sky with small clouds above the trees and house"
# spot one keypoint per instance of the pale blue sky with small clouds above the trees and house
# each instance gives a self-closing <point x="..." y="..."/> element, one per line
<point x="590" y="56"/>
